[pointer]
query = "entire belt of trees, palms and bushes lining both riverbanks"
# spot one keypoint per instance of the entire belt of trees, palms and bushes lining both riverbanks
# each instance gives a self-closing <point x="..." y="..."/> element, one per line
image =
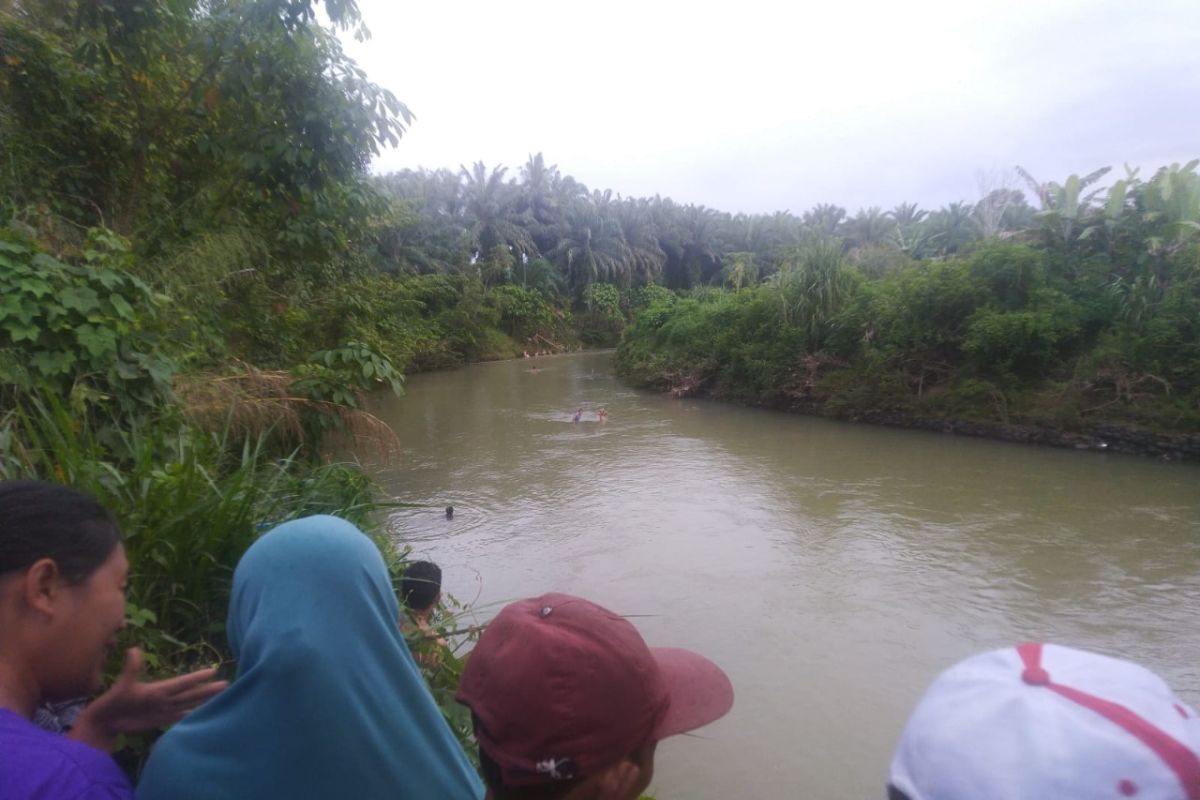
<point x="200" y="282"/>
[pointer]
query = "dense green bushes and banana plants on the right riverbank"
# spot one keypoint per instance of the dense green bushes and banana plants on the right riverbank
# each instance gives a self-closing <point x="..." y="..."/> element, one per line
<point x="1091" y="315"/>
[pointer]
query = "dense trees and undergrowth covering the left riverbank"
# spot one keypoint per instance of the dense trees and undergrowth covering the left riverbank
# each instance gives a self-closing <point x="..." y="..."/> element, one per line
<point x="189" y="299"/>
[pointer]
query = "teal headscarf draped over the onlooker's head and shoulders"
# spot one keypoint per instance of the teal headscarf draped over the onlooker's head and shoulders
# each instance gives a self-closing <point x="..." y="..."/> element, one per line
<point x="328" y="702"/>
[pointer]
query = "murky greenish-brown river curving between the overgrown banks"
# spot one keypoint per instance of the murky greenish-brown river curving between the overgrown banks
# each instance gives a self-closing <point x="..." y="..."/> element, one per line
<point x="831" y="569"/>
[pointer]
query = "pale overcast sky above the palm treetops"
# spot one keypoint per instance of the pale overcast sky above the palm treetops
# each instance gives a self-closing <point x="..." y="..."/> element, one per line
<point x="769" y="106"/>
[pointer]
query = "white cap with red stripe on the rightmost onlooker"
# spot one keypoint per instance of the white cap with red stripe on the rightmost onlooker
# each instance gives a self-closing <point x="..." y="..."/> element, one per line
<point x="1047" y="721"/>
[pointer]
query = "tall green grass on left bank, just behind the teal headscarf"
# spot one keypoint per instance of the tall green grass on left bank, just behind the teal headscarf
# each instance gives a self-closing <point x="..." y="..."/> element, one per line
<point x="189" y="506"/>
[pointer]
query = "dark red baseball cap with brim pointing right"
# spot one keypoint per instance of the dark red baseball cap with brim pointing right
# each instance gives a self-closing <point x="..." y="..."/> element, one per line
<point x="562" y="688"/>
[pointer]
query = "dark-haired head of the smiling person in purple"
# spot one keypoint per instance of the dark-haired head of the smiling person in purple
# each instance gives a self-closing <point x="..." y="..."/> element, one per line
<point x="63" y="574"/>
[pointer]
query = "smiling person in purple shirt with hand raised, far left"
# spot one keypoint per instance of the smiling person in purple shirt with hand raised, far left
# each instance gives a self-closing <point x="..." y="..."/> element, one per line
<point x="63" y="574"/>
